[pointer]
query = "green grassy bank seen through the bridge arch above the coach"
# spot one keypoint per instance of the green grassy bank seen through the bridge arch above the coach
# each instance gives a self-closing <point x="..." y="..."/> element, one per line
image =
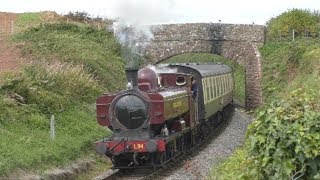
<point x="239" y="71"/>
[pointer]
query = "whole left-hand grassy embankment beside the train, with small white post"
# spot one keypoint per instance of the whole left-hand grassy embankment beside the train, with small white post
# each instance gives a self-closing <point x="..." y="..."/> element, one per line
<point x="71" y="65"/>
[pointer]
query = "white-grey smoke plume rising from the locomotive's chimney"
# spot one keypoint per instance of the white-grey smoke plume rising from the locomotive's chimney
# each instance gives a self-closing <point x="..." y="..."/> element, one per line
<point x="132" y="27"/>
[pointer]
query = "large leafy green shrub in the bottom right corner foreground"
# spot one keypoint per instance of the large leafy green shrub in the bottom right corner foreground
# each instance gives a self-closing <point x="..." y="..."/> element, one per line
<point x="284" y="140"/>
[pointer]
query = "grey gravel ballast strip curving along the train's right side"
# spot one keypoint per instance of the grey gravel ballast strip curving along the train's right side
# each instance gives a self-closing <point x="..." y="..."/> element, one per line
<point x="228" y="137"/>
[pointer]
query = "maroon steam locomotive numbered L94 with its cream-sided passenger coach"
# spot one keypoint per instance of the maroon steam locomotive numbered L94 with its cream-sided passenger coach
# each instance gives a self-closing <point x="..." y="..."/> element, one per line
<point x="158" y="117"/>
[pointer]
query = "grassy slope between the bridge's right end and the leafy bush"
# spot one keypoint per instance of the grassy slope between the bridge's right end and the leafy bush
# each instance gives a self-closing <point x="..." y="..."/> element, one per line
<point x="288" y="66"/>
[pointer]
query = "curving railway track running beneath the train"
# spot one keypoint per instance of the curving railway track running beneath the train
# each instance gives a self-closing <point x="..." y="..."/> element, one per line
<point x="161" y="173"/>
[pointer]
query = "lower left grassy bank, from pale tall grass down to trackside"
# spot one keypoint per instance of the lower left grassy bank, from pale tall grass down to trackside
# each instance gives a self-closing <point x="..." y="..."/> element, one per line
<point x="28" y="99"/>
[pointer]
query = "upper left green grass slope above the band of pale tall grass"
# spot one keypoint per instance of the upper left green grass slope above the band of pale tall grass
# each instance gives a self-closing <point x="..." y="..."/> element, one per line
<point x="78" y="44"/>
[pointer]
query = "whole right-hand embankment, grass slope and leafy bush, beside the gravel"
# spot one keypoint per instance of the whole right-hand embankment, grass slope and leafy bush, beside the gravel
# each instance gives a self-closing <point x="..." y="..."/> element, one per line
<point x="287" y="66"/>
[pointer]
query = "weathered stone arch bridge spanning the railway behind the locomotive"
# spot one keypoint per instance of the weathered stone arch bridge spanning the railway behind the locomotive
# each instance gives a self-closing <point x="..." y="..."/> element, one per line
<point x="239" y="43"/>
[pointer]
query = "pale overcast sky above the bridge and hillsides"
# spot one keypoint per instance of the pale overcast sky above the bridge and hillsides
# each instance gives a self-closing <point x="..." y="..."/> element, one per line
<point x="167" y="11"/>
